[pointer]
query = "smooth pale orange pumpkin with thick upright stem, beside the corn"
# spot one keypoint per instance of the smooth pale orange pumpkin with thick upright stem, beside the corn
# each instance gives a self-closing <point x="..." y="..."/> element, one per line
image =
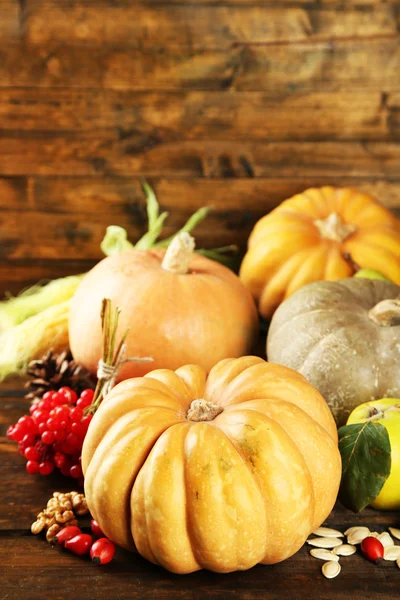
<point x="179" y="307"/>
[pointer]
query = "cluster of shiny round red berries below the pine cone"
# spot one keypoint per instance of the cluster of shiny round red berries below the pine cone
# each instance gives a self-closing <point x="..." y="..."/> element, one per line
<point x="52" y="435"/>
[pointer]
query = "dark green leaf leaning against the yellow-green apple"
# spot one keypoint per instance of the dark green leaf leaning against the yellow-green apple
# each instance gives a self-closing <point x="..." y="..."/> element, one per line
<point x="366" y="462"/>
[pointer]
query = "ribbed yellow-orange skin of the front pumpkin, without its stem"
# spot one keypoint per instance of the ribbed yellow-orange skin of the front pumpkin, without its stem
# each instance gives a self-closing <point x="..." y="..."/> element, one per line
<point x="247" y="487"/>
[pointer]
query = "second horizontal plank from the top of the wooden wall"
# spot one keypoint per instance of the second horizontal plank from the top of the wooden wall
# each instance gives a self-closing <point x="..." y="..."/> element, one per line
<point x="363" y="65"/>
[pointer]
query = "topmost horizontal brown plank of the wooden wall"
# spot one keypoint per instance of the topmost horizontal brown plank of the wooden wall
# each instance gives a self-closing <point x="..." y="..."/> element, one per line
<point x="214" y="27"/>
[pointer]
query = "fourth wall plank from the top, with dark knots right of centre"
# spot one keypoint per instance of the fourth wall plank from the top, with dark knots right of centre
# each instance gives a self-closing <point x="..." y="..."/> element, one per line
<point x="84" y="154"/>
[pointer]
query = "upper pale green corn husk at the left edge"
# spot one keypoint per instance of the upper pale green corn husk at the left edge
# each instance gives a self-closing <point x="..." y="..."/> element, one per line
<point x="35" y="299"/>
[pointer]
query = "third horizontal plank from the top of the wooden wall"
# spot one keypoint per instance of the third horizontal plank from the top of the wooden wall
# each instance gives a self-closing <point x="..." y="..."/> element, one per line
<point x="195" y="115"/>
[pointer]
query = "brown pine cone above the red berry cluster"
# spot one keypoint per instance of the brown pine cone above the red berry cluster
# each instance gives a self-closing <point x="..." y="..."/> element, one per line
<point x="53" y="371"/>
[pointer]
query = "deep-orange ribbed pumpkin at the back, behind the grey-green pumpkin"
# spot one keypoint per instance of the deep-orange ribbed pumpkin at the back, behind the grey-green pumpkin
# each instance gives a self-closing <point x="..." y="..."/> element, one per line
<point x="311" y="237"/>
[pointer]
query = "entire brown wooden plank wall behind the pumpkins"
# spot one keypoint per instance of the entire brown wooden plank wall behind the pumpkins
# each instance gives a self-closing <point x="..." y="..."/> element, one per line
<point x="233" y="103"/>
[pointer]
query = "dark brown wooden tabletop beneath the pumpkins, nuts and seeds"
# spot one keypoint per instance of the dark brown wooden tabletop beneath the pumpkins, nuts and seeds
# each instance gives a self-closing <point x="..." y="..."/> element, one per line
<point x="30" y="569"/>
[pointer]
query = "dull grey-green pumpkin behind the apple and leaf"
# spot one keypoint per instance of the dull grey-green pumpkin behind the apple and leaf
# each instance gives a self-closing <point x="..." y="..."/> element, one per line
<point x="344" y="337"/>
